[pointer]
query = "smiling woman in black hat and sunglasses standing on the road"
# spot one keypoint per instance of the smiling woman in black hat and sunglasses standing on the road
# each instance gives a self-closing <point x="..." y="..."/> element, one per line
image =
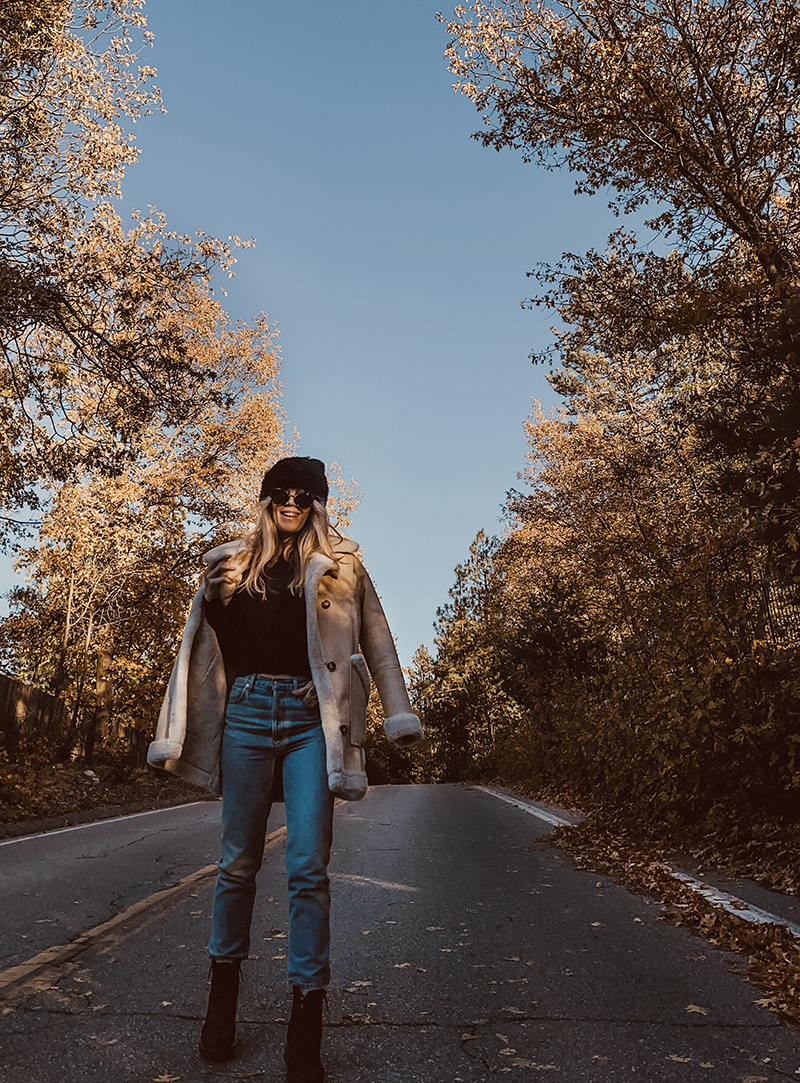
<point x="280" y="627"/>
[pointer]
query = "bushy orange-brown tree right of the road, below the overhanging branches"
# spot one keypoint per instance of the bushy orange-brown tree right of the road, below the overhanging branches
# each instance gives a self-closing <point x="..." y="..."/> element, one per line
<point x="654" y="681"/>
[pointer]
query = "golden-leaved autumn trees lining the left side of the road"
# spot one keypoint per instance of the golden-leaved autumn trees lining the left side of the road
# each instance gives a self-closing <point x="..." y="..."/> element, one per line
<point x="135" y="419"/>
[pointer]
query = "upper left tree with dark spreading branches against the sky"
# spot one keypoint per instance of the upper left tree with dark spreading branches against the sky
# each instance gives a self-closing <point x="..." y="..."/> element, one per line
<point x="86" y="303"/>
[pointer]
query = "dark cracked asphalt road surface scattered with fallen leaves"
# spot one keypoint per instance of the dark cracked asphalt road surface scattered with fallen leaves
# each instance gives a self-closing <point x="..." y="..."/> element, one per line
<point x="465" y="947"/>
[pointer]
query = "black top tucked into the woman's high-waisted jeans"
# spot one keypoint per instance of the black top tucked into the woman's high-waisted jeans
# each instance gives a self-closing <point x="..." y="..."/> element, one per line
<point x="264" y="635"/>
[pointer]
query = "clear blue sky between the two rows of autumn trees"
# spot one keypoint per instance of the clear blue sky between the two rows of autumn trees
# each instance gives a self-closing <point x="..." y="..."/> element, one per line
<point x="392" y="252"/>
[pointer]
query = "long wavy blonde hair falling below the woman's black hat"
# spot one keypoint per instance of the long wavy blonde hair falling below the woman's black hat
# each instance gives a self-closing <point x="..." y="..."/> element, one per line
<point x="265" y="547"/>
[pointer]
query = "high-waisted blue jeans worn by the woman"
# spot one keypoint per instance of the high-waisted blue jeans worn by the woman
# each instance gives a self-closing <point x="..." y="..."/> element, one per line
<point x="268" y="724"/>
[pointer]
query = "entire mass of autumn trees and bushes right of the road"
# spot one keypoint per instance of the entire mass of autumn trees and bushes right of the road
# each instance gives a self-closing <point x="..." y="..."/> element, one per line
<point x="645" y="646"/>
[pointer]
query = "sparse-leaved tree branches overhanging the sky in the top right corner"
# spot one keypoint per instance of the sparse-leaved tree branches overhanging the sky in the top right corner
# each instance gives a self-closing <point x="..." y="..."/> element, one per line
<point x="689" y="107"/>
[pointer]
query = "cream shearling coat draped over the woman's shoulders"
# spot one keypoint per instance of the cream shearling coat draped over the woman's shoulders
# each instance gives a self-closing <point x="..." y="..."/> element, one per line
<point x="346" y="625"/>
